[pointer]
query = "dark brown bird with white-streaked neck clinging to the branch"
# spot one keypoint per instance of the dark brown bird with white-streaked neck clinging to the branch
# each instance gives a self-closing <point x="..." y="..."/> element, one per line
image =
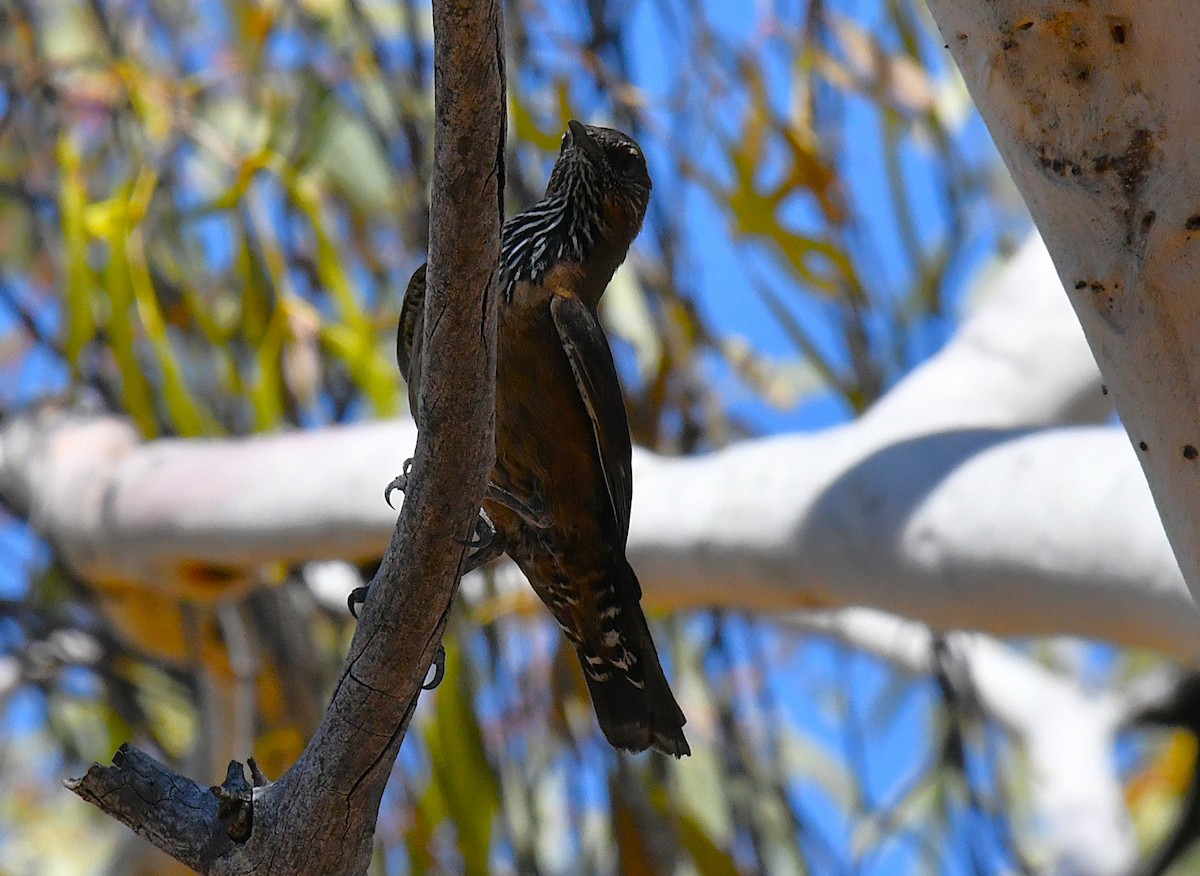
<point x="560" y="496"/>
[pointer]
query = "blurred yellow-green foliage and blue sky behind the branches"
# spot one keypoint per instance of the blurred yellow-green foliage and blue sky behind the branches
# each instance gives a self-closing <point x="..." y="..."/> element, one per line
<point x="208" y="213"/>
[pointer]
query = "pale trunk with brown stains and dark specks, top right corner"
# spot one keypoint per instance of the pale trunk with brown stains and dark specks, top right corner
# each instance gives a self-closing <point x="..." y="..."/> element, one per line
<point x="1094" y="107"/>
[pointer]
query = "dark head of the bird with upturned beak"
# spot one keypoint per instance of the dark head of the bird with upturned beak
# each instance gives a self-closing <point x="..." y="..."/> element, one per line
<point x="603" y="171"/>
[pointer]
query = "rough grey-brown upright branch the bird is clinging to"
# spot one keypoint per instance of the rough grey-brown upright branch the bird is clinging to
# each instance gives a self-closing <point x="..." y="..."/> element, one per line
<point x="321" y="815"/>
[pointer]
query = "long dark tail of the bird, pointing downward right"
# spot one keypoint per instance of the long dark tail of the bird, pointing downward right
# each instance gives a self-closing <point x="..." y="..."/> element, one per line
<point x="634" y="705"/>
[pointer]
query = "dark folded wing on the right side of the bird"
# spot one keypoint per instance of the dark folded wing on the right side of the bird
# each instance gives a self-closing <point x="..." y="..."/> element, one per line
<point x="596" y="375"/>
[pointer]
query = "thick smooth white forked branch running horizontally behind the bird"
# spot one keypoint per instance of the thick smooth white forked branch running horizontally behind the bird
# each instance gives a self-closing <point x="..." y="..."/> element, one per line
<point x="953" y="502"/>
